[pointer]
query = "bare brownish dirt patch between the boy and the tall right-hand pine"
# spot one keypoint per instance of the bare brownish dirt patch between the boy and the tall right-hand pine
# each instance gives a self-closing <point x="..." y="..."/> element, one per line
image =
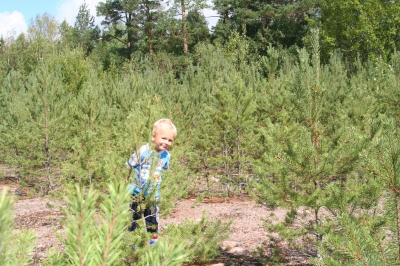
<point x="247" y="229"/>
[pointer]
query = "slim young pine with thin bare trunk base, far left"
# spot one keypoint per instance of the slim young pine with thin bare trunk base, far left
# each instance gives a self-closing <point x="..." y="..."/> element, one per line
<point x="44" y="90"/>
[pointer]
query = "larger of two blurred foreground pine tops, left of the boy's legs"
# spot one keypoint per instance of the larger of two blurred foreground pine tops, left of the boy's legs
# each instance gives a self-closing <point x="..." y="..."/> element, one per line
<point x="93" y="235"/>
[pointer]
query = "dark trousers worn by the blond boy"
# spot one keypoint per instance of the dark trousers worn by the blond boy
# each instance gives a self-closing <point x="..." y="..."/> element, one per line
<point x="150" y="214"/>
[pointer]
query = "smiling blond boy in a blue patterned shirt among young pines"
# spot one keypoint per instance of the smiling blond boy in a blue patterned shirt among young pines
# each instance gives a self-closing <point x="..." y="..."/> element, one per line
<point x="164" y="132"/>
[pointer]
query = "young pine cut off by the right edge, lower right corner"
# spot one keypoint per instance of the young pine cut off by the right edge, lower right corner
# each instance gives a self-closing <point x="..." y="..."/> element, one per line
<point x="371" y="237"/>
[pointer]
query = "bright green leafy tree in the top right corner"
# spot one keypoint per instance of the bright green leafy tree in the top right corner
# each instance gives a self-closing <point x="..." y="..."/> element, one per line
<point x="365" y="29"/>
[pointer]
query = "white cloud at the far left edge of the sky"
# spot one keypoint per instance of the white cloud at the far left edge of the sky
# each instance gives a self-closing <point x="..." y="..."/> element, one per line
<point x="11" y="25"/>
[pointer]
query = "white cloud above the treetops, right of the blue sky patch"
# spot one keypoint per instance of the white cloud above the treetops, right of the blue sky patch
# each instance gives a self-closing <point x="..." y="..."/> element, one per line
<point x="68" y="10"/>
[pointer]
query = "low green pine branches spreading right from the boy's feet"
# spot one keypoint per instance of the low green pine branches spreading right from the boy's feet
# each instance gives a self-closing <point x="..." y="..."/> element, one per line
<point x="188" y="242"/>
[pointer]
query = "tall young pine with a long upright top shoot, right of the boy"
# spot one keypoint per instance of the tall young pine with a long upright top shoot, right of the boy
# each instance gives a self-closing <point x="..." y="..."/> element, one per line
<point x="313" y="160"/>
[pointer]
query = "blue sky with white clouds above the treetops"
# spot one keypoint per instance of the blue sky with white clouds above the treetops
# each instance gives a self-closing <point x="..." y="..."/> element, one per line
<point x="15" y="15"/>
